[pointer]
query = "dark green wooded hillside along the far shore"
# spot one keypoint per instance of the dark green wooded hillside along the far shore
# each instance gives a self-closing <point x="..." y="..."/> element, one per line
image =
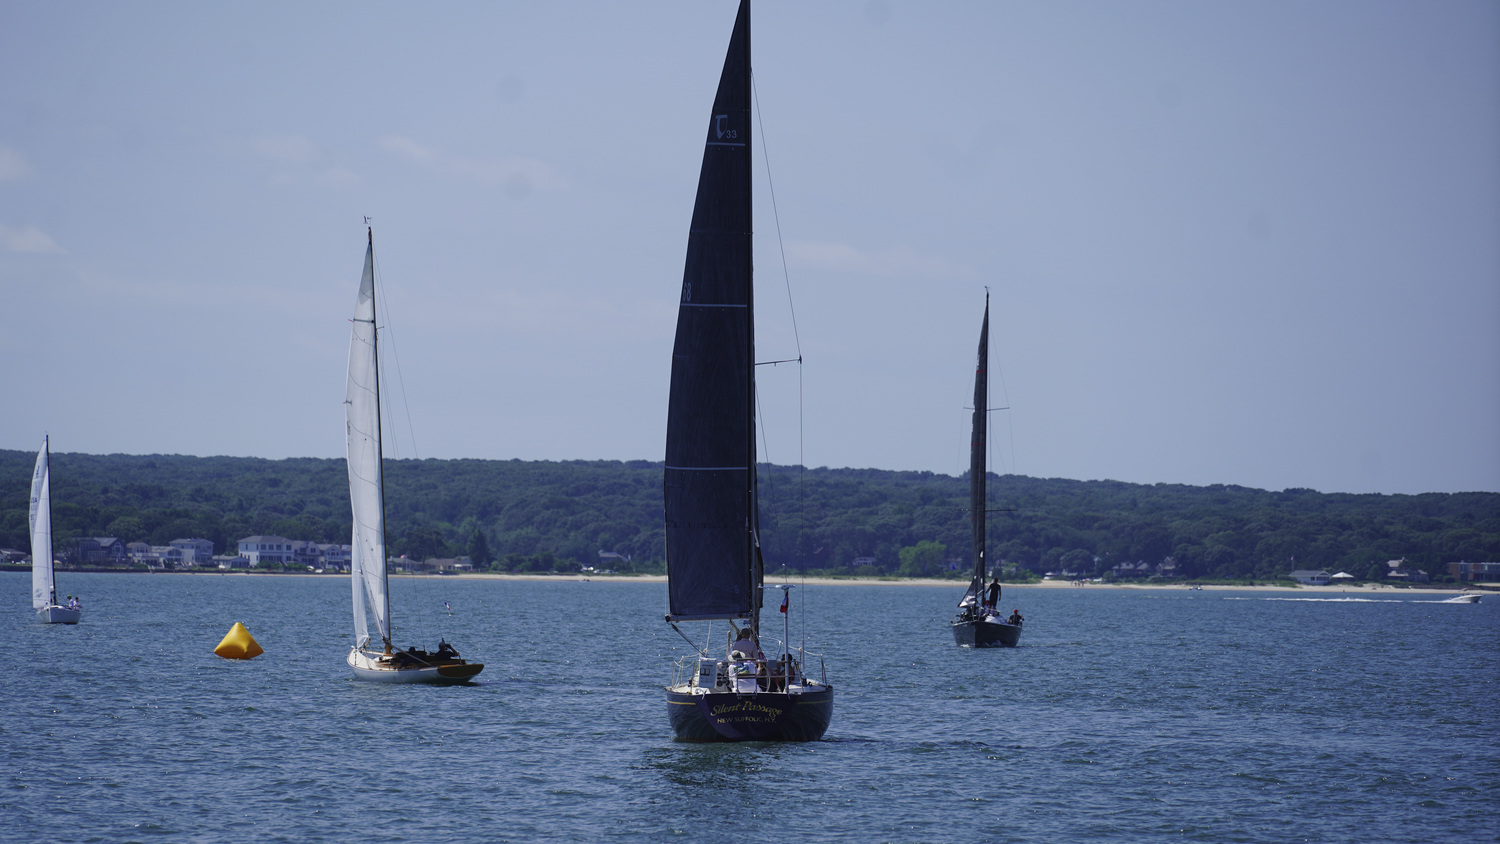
<point x="544" y="516"/>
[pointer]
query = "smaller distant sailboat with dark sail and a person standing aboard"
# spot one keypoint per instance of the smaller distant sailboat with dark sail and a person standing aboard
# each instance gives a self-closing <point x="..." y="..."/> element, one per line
<point x="979" y="623"/>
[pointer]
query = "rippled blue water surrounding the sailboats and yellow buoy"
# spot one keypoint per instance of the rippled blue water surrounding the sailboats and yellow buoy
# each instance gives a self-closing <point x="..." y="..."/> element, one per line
<point x="1126" y="716"/>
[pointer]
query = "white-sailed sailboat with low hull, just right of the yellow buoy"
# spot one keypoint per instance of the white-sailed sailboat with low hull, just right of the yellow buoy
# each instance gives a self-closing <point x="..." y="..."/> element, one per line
<point x="379" y="662"/>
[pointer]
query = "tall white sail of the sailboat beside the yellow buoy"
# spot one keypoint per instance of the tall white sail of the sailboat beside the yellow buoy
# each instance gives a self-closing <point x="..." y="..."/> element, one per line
<point x="367" y="495"/>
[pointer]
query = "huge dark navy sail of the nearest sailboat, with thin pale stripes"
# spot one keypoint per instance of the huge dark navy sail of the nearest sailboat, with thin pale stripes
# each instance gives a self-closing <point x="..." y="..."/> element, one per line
<point x="710" y="485"/>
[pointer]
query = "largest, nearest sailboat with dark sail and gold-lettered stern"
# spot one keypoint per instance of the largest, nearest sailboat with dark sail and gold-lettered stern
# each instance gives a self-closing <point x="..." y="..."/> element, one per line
<point x="713" y="531"/>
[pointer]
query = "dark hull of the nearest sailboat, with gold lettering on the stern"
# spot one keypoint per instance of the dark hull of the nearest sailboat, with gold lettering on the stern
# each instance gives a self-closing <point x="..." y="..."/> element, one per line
<point x="757" y="717"/>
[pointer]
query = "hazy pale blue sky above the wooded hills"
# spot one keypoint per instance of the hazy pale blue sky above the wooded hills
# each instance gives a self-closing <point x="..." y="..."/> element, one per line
<point x="1225" y="244"/>
